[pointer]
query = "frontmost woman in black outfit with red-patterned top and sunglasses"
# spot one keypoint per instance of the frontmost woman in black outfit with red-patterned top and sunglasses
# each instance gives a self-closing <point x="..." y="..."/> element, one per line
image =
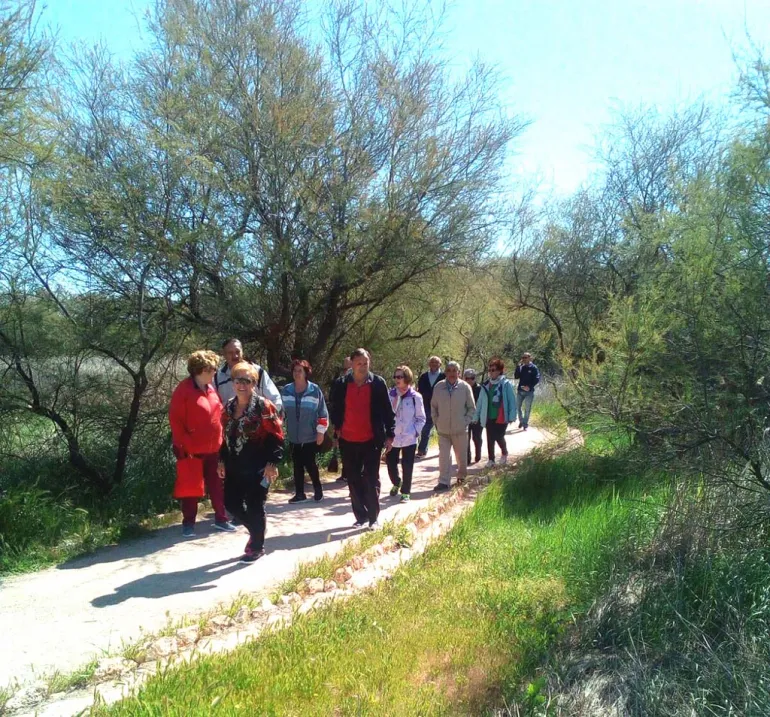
<point x="252" y="448"/>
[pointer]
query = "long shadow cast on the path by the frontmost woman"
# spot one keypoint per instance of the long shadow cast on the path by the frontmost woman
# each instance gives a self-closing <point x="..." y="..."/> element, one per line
<point x="158" y="585"/>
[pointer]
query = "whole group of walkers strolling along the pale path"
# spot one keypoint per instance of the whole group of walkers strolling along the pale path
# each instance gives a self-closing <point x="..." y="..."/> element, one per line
<point x="229" y="424"/>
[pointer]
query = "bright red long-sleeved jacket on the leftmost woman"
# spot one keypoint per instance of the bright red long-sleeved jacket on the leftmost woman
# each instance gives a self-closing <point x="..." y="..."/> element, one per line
<point x="195" y="416"/>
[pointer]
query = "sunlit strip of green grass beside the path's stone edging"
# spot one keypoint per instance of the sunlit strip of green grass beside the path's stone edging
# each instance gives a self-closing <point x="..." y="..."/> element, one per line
<point x="457" y="630"/>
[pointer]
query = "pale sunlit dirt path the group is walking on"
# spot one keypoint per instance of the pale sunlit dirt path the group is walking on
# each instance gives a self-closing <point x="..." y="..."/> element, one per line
<point x="60" y="618"/>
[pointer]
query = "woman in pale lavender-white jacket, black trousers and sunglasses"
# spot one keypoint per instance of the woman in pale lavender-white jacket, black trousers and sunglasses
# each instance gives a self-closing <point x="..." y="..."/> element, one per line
<point x="410" y="418"/>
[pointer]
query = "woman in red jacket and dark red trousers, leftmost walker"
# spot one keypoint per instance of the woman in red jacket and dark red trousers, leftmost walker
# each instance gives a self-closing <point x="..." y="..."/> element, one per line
<point x="195" y="415"/>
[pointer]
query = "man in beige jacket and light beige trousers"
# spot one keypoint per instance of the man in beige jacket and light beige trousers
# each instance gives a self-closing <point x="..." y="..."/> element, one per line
<point x="452" y="407"/>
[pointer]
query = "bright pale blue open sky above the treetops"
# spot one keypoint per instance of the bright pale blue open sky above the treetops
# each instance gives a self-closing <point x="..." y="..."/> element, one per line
<point x="569" y="64"/>
